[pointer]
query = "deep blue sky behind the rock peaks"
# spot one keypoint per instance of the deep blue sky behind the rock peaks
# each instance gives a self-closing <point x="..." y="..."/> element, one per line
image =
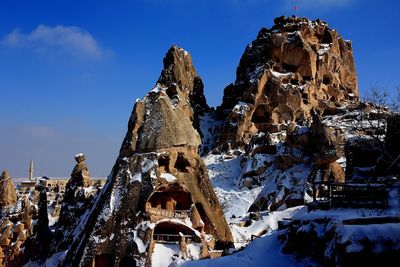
<point x="71" y="70"/>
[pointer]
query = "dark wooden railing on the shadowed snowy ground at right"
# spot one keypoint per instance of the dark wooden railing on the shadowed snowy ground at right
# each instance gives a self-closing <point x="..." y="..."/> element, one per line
<point x="353" y="195"/>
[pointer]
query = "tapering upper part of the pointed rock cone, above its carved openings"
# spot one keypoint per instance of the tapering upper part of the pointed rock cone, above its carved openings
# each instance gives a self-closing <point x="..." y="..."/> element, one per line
<point x="178" y="93"/>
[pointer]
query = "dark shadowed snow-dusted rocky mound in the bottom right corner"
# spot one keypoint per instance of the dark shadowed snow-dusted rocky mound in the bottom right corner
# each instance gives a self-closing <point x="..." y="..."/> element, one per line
<point x="365" y="241"/>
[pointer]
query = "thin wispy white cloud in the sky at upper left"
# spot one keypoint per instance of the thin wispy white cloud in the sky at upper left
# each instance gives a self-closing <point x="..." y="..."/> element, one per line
<point x="72" y="40"/>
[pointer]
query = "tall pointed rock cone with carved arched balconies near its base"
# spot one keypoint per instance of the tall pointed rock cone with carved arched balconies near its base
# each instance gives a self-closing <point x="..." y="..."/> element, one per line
<point x="159" y="187"/>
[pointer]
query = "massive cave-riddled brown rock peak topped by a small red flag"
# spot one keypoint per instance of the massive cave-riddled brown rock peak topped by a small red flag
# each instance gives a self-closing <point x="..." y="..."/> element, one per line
<point x="294" y="67"/>
